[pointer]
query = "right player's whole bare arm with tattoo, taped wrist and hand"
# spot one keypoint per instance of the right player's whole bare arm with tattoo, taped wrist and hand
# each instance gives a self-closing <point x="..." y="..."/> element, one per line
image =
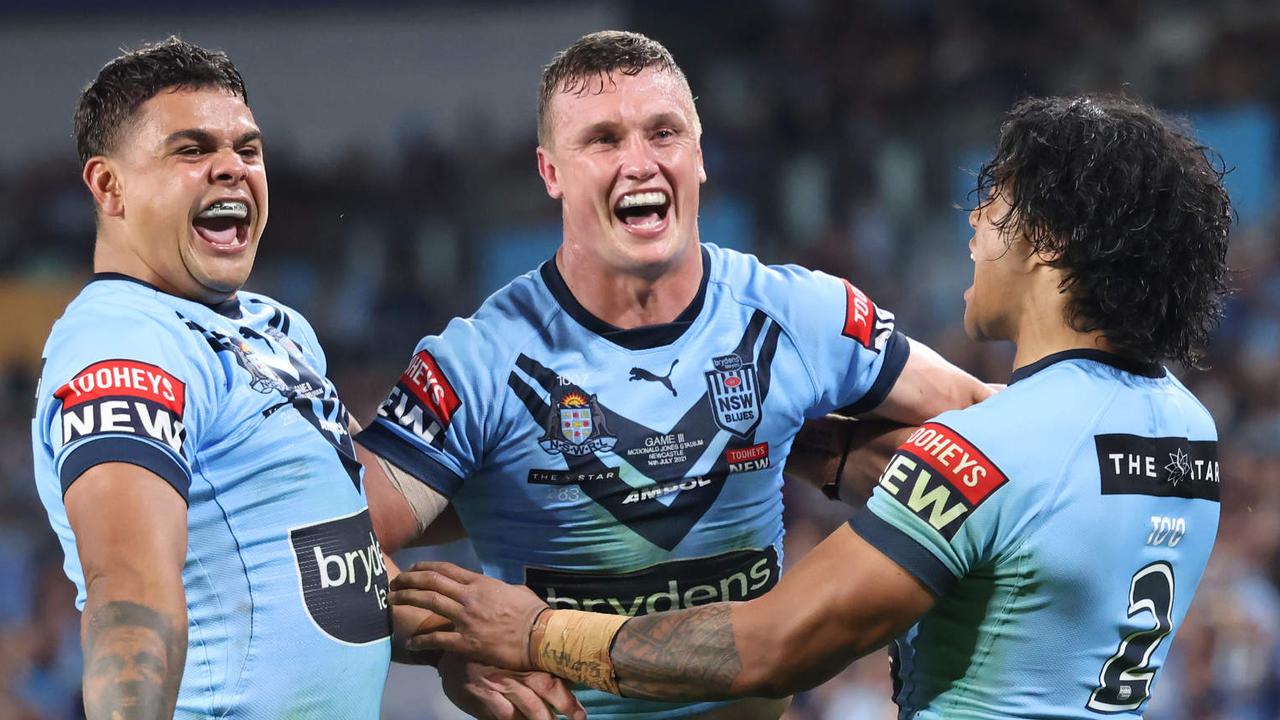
<point x="840" y="603"/>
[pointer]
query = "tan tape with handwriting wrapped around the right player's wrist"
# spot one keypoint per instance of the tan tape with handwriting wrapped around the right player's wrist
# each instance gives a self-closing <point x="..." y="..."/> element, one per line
<point x="577" y="646"/>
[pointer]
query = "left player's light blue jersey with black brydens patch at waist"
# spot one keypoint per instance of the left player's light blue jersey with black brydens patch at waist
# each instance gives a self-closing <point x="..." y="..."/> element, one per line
<point x="285" y="582"/>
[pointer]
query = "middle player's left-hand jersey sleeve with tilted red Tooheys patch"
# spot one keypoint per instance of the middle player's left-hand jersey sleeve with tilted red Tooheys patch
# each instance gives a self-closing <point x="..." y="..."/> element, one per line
<point x="432" y="423"/>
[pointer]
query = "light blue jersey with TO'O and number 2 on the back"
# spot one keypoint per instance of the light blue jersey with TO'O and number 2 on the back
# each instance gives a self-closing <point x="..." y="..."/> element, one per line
<point x="1064" y="526"/>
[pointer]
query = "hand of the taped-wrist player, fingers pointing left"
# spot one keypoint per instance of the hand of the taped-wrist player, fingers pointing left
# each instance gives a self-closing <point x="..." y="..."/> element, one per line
<point x="491" y="619"/>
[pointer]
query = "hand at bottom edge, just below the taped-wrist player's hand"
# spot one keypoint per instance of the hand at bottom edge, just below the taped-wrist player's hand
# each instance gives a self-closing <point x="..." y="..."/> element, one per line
<point x="492" y="694"/>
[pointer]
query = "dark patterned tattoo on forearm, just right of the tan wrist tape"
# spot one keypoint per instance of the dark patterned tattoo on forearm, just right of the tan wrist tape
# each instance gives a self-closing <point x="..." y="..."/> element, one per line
<point x="688" y="655"/>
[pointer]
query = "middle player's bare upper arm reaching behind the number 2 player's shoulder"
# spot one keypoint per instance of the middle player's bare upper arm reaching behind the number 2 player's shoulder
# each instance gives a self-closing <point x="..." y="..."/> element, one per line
<point x="929" y="386"/>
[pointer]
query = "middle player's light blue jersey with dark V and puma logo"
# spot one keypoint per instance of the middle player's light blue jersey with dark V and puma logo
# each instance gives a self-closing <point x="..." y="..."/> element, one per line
<point x="641" y="471"/>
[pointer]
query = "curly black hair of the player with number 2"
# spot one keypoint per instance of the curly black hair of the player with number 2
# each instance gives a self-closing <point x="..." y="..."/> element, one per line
<point x="1131" y="208"/>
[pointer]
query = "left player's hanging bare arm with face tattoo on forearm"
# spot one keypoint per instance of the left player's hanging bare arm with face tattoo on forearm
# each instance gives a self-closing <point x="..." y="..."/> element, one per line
<point x="131" y="534"/>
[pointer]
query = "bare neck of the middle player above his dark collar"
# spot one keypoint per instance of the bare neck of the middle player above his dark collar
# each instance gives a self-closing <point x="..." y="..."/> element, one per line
<point x="627" y="299"/>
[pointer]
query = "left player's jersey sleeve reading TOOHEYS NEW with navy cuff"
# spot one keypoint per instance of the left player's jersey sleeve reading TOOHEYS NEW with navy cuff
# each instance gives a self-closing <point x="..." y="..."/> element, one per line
<point x="122" y="386"/>
